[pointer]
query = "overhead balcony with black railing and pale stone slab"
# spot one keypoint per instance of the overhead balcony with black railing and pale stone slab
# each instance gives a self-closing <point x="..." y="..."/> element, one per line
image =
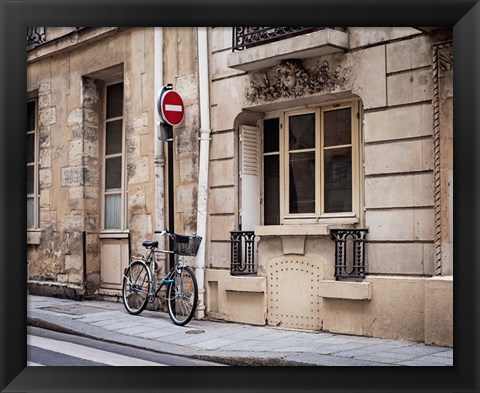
<point x="255" y="48"/>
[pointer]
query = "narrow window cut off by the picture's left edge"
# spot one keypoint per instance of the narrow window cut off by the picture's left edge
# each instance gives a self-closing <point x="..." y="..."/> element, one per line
<point x="36" y="192"/>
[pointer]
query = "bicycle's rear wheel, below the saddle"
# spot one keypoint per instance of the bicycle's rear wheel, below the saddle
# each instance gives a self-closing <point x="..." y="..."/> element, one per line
<point x="136" y="287"/>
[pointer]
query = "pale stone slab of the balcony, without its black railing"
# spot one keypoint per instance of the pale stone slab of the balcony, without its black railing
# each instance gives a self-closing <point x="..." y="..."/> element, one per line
<point x="315" y="44"/>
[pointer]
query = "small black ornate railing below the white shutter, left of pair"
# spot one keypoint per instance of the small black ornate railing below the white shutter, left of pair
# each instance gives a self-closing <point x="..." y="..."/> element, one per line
<point x="242" y="245"/>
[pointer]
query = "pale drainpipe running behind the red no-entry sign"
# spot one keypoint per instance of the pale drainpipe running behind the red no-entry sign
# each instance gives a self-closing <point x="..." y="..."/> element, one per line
<point x="158" y="145"/>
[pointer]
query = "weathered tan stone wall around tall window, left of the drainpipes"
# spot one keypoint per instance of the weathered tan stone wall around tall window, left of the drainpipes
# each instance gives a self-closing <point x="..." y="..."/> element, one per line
<point x="70" y="93"/>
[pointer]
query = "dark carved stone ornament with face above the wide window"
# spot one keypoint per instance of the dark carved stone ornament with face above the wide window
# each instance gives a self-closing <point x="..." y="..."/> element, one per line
<point x="291" y="80"/>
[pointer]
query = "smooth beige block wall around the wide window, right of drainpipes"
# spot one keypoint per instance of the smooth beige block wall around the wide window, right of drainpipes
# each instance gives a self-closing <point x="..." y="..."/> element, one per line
<point x="390" y="70"/>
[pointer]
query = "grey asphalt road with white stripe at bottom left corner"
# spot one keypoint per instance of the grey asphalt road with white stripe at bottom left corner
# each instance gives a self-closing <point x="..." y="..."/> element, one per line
<point x="50" y="348"/>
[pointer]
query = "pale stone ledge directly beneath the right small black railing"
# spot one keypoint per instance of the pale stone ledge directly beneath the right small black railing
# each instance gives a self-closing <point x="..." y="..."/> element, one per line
<point x="331" y="289"/>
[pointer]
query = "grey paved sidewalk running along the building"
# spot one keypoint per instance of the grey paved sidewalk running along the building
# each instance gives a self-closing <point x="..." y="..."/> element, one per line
<point x="228" y="343"/>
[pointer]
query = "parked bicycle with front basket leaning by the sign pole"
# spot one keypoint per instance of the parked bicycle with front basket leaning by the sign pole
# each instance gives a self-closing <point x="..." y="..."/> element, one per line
<point x="139" y="285"/>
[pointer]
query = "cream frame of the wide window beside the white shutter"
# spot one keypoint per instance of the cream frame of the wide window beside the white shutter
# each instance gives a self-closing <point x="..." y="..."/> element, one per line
<point x="319" y="216"/>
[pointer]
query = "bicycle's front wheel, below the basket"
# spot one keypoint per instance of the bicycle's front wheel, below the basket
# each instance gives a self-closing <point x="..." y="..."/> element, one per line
<point x="182" y="296"/>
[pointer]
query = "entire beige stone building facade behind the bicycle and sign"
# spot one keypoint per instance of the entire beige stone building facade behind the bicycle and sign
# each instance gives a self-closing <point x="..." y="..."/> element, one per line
<point x="343" y="129"/>
